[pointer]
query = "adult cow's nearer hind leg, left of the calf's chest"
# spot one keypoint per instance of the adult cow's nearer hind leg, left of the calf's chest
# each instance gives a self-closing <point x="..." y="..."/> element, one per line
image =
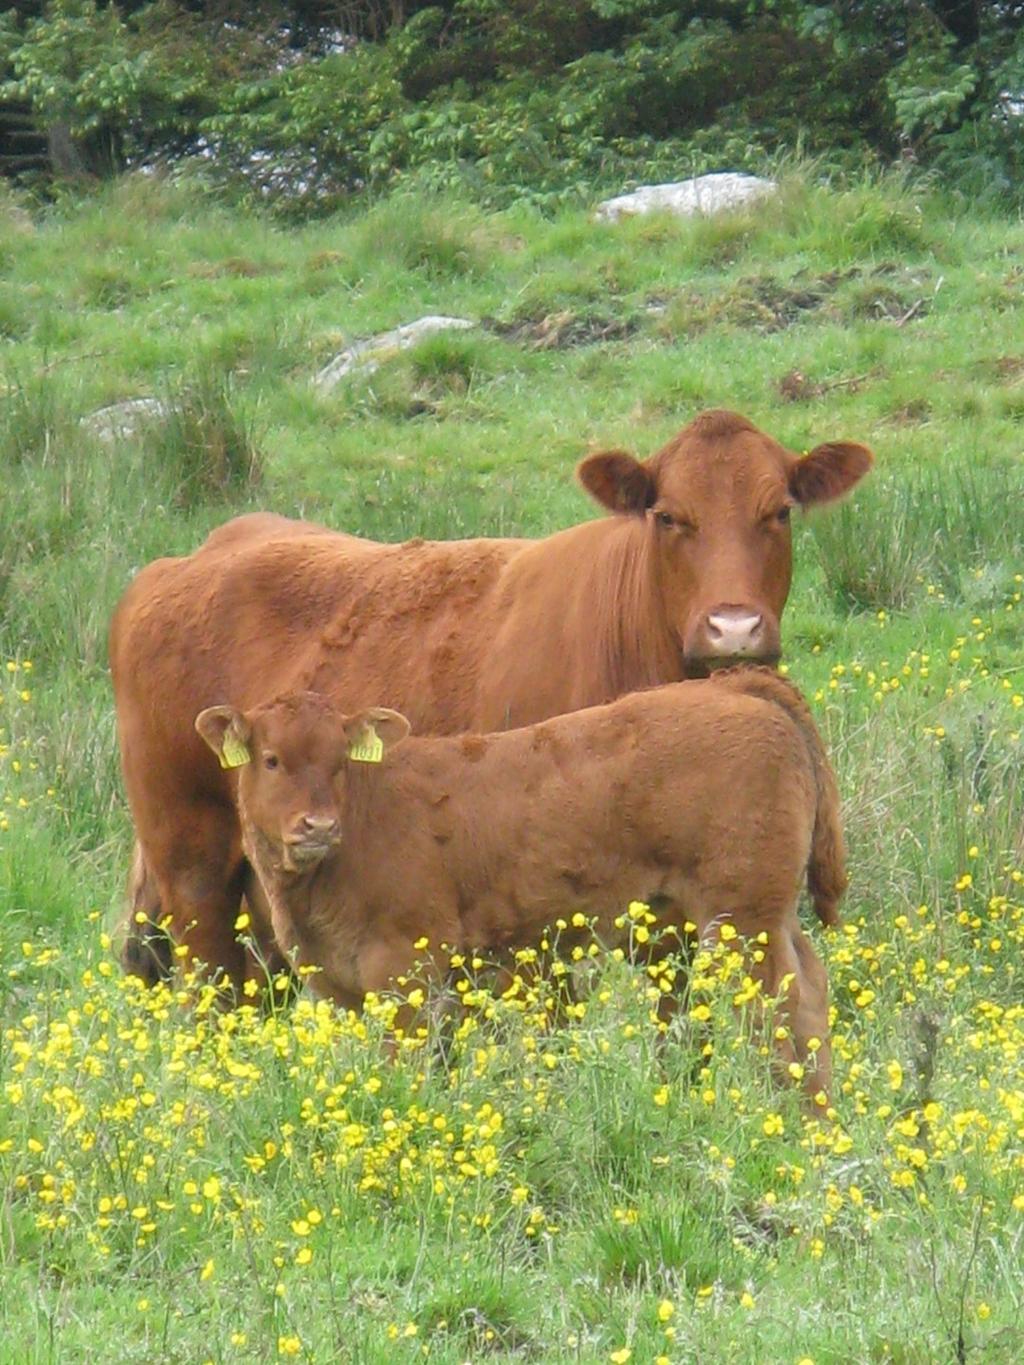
<point x="200" y="877"/>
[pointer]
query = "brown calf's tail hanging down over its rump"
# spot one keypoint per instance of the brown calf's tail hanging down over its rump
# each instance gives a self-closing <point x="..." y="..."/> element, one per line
<point x="827" y="867"/>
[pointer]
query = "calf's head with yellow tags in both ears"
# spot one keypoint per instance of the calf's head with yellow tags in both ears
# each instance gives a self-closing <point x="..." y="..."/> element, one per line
<point x="294" y="758"/>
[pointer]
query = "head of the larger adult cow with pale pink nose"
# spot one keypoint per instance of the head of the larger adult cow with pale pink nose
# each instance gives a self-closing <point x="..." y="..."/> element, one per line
<point x="716" y="504"/>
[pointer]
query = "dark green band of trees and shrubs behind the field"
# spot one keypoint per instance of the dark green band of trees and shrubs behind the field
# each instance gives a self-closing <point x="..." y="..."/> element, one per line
<point x="305" y="103"/>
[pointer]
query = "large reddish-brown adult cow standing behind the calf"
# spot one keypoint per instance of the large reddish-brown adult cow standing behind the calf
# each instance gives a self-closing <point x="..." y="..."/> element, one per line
<point x="466" y="635"/>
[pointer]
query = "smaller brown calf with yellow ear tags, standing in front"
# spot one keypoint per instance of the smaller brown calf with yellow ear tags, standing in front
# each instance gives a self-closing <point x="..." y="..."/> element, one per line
<point x="712" y="799"/>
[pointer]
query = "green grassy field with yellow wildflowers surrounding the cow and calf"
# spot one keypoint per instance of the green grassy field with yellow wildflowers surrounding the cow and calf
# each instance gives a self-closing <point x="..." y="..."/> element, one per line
<point x="188" y="1186"/>
